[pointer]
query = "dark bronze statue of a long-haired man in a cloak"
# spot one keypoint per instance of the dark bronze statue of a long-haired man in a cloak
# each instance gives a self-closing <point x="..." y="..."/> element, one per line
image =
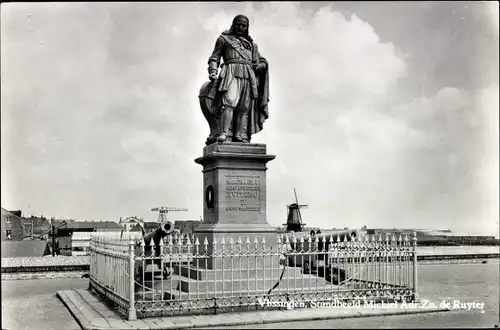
<point x="235" y="102"/>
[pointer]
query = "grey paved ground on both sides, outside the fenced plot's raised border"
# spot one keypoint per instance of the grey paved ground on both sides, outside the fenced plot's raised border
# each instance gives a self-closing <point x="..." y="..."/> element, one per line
<point x="32" y="304"/>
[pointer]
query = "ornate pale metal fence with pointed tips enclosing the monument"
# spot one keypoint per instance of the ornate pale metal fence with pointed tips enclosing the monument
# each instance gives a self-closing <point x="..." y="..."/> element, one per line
<point x="241" y="274"/>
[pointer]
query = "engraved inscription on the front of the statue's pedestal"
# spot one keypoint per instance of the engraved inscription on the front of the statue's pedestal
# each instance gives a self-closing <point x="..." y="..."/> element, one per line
<point x="242" y="193"/>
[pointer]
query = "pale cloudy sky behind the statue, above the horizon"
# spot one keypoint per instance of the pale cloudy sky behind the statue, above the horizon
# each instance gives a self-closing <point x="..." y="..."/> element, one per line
<point x="381" y="114"/>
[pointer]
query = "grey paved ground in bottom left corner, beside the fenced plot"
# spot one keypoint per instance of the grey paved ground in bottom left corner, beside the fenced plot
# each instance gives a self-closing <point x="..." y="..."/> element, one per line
<point x="32" y="304"/>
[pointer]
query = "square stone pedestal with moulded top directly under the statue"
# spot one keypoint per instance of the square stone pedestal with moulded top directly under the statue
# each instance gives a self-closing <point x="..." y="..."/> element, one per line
<point x="234" y="185"/>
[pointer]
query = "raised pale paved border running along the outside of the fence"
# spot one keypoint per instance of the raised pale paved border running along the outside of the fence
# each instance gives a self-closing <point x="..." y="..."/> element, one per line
<point x="91" y="313"/>
